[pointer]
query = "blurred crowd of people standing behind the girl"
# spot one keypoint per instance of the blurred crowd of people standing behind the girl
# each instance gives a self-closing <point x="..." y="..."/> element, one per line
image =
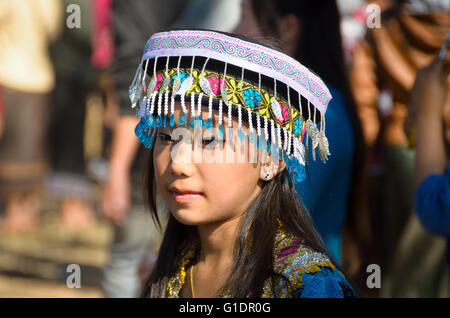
<point x="67" y="129"/>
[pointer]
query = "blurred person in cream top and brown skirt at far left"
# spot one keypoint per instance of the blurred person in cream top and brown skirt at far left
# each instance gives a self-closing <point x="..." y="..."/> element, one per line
<point x="27" y="78"/>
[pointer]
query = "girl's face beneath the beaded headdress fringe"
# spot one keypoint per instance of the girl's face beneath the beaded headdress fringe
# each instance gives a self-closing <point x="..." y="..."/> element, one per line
<point x="198" y="190"/>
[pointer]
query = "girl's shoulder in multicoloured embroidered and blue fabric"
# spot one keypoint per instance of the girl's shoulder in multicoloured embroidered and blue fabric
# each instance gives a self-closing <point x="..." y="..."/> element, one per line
<point x="304" y="272"/>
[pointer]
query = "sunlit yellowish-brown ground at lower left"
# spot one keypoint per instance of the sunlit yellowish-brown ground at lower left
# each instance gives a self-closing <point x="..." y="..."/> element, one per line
<point x="34" y="264"/>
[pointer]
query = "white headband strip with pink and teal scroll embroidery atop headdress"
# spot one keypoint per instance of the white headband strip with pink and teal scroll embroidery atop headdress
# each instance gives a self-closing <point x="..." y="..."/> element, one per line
<point x="249" y="55"/>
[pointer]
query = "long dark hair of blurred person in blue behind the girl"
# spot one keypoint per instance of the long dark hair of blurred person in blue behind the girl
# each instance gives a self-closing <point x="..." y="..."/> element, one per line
<point x="320" y="49"/>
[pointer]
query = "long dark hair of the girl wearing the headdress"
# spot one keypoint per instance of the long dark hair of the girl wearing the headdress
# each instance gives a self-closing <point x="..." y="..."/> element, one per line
<point x="277" y="200"/>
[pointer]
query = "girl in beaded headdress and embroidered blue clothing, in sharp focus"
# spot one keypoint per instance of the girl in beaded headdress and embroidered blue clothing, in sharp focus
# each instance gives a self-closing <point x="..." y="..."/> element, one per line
<point x="237" y="227"/>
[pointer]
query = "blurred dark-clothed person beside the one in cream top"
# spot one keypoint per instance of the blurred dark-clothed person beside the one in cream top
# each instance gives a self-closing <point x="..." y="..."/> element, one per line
<point x="75" y="80"/>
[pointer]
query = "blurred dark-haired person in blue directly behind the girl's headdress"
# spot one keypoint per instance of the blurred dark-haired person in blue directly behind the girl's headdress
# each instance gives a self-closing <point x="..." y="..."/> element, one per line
<point x="335" y="196"/>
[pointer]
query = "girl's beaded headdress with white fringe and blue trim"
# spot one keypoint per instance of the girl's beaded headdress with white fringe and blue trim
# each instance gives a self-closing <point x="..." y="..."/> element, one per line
<point x="282" y="101"/>
